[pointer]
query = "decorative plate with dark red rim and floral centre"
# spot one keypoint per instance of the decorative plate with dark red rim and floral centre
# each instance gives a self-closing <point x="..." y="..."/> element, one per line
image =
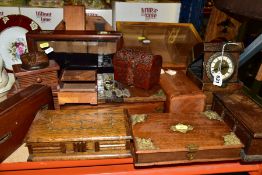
<point x="12" y="38"/>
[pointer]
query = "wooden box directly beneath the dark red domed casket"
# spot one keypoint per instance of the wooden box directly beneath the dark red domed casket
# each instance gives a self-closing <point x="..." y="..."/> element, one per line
<point x="138" y="101"/>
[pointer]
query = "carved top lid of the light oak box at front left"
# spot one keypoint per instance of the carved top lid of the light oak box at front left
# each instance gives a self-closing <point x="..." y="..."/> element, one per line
<point x="78" y="125"/>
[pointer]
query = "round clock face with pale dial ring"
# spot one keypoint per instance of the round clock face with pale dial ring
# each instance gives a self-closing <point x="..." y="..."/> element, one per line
<point x="216" y="63"/>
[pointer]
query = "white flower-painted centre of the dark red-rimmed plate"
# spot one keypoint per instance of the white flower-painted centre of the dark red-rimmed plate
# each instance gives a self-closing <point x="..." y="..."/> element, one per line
<point x="13" y="44"/>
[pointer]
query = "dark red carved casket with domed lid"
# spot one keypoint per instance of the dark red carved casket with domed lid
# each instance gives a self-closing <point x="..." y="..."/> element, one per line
<point x="135" y="66"/>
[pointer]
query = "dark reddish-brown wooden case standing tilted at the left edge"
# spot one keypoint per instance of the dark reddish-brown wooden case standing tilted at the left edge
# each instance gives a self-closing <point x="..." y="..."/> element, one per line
<point x="17" y="114"/>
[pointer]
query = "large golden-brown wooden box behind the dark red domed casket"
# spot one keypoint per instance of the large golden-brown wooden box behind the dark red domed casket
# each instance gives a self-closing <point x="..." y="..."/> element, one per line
<point x="173" y="42"/>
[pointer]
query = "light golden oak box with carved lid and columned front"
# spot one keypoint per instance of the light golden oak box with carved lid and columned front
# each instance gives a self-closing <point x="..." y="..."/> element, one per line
<point x="78" y="134"/>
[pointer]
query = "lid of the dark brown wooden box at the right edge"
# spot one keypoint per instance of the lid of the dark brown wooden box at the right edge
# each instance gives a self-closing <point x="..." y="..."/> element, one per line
<point x="245" y="111"/>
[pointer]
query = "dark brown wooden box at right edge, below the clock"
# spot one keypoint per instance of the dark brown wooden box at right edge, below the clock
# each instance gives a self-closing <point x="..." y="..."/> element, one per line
<point x="244" y="116"/>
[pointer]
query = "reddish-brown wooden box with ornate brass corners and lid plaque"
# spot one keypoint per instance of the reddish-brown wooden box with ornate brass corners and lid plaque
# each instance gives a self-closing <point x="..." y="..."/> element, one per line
<point x="172" y="138"/>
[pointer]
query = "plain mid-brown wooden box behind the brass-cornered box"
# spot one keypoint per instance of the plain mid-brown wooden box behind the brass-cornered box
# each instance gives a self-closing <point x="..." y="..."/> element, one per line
<point x="182" y="94"/>
